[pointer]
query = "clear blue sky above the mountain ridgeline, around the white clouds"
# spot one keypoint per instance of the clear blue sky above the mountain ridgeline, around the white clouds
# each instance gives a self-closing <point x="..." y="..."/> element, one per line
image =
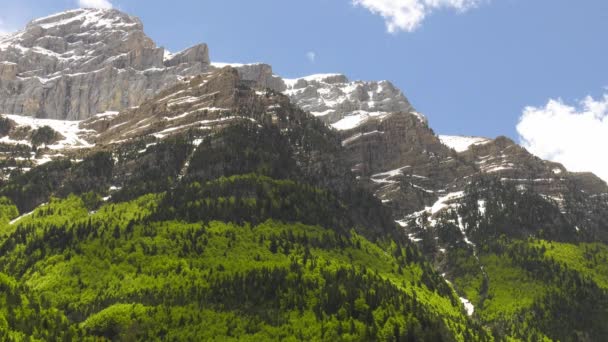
<point x="471" y="70"/>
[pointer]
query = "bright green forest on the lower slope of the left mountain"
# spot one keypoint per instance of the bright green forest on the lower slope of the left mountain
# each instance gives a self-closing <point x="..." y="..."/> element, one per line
<point x="117" y="272"/>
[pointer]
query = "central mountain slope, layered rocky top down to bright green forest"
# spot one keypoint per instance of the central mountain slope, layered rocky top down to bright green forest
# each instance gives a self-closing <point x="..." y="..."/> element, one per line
<point x="252" y="228"/>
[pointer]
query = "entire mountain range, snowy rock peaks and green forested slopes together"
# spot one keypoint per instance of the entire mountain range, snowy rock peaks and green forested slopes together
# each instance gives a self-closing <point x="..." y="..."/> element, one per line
<point x="185" y="199"/>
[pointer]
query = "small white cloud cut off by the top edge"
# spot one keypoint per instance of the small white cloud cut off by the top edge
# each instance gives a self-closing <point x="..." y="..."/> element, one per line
<point x="407" y="15"/>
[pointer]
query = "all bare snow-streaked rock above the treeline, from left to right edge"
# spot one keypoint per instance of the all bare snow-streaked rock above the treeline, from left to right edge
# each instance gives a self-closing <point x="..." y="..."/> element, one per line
<point x="99" y="67"/>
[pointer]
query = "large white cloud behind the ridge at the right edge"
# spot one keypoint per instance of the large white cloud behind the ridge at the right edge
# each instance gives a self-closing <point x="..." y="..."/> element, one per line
<point x="576" y="136"/>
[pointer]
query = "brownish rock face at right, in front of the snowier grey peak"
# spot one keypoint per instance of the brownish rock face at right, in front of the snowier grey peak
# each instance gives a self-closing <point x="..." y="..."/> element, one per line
<point x="417" y="176"/>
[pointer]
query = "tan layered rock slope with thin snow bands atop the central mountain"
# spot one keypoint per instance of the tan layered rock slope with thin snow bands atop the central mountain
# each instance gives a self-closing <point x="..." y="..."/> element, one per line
<point x="203" y="102"/>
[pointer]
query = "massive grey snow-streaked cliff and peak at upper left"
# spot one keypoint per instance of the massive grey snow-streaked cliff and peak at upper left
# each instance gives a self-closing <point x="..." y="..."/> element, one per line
<point x="75" y="64"/>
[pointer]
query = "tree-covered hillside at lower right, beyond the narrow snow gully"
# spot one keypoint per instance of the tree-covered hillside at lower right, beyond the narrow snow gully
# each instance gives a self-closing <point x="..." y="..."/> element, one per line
<point x="528" y="274"/>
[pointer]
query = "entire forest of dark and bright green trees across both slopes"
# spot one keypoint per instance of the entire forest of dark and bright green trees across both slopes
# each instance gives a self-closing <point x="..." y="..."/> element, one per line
<point x="262" y="233"/>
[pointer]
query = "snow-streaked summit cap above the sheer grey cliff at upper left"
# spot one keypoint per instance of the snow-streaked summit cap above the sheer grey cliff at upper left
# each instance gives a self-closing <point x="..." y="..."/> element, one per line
<point x="76" y="37"/>
